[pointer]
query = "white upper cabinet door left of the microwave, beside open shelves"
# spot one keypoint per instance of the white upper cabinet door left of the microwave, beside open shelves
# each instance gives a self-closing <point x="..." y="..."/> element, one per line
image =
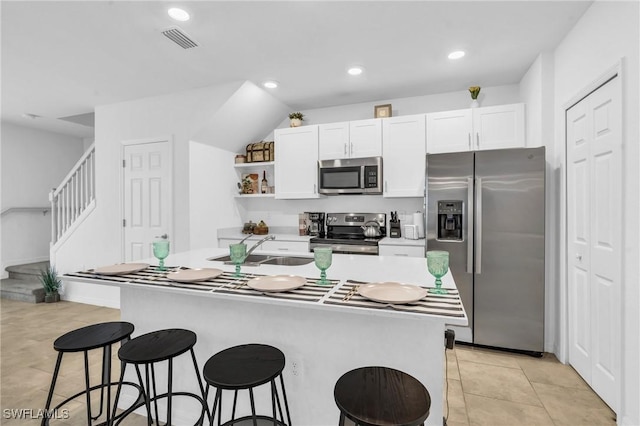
<point x="296" y="165"/>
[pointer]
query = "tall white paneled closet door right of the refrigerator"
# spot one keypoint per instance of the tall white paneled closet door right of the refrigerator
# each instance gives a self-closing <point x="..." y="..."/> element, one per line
<point x="594" y="241"/>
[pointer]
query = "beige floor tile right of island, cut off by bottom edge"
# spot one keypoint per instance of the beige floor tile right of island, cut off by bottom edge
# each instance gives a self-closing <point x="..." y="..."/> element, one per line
<point x="495" y="412"/>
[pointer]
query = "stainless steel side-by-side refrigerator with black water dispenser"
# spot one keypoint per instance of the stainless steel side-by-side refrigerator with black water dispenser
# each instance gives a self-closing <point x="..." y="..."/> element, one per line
<point x="487" y="209"/>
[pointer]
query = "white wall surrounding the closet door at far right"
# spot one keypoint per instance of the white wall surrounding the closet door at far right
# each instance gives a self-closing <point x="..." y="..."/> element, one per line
<point x="607" y="33"/>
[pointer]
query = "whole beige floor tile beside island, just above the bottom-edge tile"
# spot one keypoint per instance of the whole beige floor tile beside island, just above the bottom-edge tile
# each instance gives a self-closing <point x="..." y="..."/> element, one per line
<point x="505" y="383"/>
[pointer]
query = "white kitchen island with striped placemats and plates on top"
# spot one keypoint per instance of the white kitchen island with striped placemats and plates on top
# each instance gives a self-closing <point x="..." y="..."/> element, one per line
<point x="321" y="336"/>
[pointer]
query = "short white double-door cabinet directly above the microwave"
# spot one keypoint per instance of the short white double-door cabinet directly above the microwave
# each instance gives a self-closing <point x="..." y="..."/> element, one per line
<point x="351" y="139"/>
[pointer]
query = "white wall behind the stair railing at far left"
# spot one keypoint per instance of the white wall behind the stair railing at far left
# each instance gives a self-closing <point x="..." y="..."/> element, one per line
<point x="33" y="162"/>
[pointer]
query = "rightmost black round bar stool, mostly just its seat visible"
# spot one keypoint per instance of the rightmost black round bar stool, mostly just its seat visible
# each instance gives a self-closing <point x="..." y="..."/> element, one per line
<point x="376" y="396"/>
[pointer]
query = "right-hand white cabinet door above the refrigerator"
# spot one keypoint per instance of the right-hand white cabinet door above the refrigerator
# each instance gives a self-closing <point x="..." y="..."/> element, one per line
<point x="499" y="127"/>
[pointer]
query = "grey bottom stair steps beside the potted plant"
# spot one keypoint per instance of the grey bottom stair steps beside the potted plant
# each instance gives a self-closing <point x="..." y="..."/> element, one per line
<point x="23" y="283"/>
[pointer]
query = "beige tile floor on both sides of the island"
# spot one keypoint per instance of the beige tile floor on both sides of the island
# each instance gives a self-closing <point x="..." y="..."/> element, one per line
<point x="485" y="387"/>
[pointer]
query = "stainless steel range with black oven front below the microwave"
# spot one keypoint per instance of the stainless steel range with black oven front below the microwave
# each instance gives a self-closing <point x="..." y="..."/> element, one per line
<point x="353" y="233"/>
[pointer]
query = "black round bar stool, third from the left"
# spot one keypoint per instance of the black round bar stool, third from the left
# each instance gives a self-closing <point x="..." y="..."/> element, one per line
<point x="245" y="367"/>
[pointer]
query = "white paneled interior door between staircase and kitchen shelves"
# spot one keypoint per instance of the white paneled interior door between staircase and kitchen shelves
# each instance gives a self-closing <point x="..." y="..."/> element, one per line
<point x="147" y="197"/>
